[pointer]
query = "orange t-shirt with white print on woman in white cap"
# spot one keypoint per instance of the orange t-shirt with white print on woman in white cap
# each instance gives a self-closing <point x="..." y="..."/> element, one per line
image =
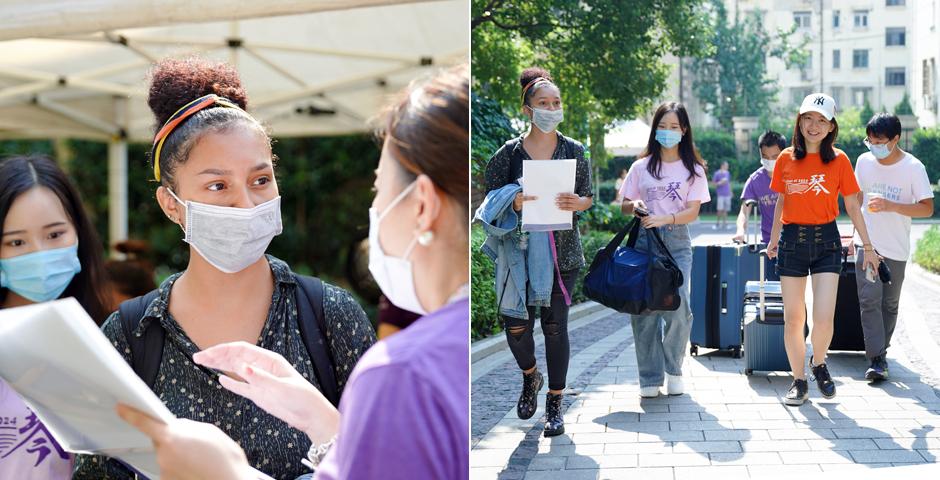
<point x="811" y="189"/>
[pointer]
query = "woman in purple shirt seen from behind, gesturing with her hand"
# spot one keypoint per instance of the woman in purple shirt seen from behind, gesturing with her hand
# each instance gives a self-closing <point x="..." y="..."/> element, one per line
<point x="405" y="411"/>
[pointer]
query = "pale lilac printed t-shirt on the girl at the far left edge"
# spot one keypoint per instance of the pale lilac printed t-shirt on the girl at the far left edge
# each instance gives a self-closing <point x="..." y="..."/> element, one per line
<point x="27" y="449"/>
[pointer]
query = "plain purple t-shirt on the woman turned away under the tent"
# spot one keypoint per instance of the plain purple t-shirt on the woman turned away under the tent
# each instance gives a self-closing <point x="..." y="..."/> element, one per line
<point x="406" y="409"/>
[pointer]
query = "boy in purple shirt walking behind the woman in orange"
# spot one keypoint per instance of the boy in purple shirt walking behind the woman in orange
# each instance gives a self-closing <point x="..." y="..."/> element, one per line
<point x="757" y="188"/>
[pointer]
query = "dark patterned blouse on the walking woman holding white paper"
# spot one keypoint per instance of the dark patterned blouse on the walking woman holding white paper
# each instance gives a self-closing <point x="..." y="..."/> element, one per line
<point x="506" y="167"/>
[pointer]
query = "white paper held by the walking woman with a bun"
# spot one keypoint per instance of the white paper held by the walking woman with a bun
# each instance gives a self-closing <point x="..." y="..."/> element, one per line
<point x="545" y="179"/>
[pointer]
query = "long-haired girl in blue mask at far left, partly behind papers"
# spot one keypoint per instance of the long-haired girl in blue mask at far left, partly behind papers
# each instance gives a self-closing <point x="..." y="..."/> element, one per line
<point x="48" y="250"/>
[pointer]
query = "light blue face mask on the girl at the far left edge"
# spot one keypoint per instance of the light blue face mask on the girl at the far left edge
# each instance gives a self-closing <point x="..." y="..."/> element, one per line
<point x="40" y="276"/>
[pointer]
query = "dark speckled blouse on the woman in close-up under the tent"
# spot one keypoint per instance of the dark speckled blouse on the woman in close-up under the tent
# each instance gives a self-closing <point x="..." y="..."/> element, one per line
<point x="193" y="392"/>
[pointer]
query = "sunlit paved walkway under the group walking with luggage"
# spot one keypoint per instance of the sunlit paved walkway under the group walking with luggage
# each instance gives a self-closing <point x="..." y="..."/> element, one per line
<point x="727" y="424"/>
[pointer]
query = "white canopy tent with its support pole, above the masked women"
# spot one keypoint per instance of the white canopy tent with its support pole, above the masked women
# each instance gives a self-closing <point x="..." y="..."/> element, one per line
<point x="83" y="74"/>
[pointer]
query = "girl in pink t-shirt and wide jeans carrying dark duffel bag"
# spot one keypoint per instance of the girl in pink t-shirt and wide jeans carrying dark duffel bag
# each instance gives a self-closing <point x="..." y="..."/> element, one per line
<point x="669" y="182"/>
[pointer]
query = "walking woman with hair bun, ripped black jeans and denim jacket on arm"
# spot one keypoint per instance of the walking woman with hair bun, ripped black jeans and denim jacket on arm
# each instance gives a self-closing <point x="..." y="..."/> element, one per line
<point x="541" y="103"/>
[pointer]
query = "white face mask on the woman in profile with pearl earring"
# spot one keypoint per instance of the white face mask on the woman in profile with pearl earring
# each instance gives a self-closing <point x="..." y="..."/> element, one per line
<point x="394" y="275"/>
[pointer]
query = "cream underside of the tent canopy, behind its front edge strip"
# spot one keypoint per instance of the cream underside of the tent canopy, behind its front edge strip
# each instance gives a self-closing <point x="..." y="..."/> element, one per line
<point x="320" y="73"/>
